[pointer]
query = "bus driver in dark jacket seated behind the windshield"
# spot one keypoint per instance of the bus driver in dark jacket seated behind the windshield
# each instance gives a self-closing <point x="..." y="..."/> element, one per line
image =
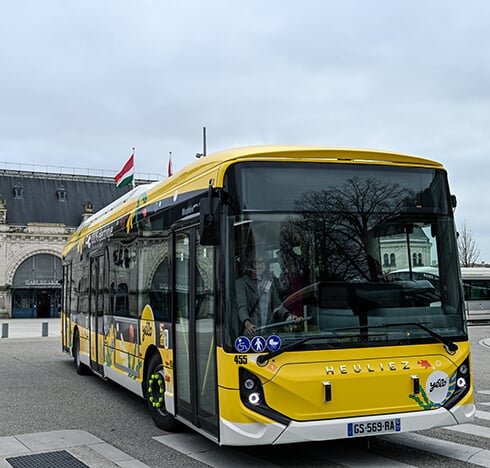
<point x="258" y="298"/>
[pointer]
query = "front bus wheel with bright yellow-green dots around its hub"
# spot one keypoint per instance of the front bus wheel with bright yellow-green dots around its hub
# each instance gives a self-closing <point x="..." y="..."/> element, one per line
<point x="155" y="398"/>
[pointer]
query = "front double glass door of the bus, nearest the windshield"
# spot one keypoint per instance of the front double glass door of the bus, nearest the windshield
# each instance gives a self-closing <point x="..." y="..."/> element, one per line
<point x="194" y="318"/>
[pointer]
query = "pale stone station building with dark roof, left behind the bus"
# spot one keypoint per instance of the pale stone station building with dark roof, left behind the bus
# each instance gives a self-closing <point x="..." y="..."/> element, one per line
<point x="38" y="211"/>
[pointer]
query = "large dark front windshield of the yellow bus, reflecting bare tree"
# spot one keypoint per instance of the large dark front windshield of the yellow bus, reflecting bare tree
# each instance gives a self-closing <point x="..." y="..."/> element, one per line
<point x="331" y="250"/>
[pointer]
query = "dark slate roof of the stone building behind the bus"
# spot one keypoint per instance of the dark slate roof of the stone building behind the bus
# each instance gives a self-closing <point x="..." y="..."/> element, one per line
<point x="36" y="197"/>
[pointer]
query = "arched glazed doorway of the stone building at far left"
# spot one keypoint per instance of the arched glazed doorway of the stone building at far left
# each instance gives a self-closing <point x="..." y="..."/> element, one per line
<point x="36" y="287"/>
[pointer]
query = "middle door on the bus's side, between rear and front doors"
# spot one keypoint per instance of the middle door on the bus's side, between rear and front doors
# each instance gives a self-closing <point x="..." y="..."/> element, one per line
<point x="96" y="312"/>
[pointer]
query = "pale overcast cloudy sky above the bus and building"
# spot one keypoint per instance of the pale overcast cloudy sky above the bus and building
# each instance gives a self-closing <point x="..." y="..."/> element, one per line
<point x="83" y="82"/>
